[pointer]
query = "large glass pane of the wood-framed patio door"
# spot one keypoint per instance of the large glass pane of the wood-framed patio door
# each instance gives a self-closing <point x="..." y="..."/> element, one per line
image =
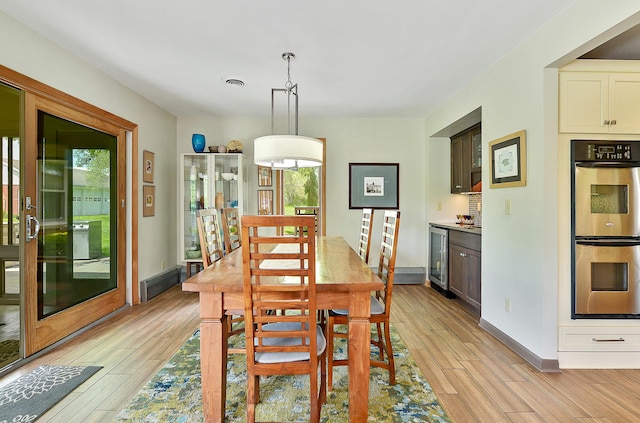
<point x="75" y="210"/>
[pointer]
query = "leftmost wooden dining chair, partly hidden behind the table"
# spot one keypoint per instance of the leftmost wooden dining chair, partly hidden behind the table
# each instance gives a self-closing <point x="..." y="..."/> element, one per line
<point x="211" y="247"/>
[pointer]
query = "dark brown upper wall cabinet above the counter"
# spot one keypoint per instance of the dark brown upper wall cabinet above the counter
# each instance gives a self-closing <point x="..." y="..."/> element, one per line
<point x="466" y="160"/>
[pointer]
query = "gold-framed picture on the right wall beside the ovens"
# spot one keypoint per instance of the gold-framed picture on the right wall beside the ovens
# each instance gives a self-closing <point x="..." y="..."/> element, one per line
<point x="508" y="160"/>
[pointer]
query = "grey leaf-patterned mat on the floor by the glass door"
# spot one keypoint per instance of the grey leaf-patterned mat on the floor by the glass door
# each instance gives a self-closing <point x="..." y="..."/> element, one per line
<point x="31" y="395"/>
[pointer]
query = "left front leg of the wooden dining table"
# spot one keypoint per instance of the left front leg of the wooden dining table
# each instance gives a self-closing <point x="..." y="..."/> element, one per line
<point x="213" y="356"/>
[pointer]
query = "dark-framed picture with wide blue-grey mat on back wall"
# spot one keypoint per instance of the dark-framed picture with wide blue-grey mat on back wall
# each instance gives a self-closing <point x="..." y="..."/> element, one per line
<point x="374" y="185"/>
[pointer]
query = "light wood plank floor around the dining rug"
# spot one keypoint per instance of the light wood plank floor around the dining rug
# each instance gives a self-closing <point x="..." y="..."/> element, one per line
<point x="475" y="377"/>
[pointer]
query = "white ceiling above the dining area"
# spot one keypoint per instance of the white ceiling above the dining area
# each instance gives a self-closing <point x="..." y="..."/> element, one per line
<point x="374" y="58"/>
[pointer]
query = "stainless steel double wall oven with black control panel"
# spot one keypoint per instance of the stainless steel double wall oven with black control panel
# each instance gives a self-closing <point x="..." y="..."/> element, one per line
<point x="605" y="229"/>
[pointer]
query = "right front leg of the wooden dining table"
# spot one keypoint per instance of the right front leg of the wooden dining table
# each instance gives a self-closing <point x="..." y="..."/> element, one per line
<point x="359" y="356"/>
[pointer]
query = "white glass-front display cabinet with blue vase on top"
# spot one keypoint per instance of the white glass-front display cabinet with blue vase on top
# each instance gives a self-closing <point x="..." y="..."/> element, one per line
<point x="207" y="180"/>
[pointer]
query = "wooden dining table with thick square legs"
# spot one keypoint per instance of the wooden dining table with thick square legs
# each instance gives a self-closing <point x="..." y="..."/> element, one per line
<point x="343" y="281"/>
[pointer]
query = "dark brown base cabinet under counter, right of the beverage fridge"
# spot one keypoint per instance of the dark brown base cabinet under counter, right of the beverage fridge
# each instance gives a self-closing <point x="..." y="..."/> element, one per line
<point x="464" y="267"/>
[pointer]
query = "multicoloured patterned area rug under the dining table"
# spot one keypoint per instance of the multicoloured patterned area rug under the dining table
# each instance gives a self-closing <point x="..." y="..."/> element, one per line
<point x="174" y="394"/>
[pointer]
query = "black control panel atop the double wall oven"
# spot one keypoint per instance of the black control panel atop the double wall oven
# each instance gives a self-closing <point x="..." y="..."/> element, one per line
<point x="605" y="151"/>
